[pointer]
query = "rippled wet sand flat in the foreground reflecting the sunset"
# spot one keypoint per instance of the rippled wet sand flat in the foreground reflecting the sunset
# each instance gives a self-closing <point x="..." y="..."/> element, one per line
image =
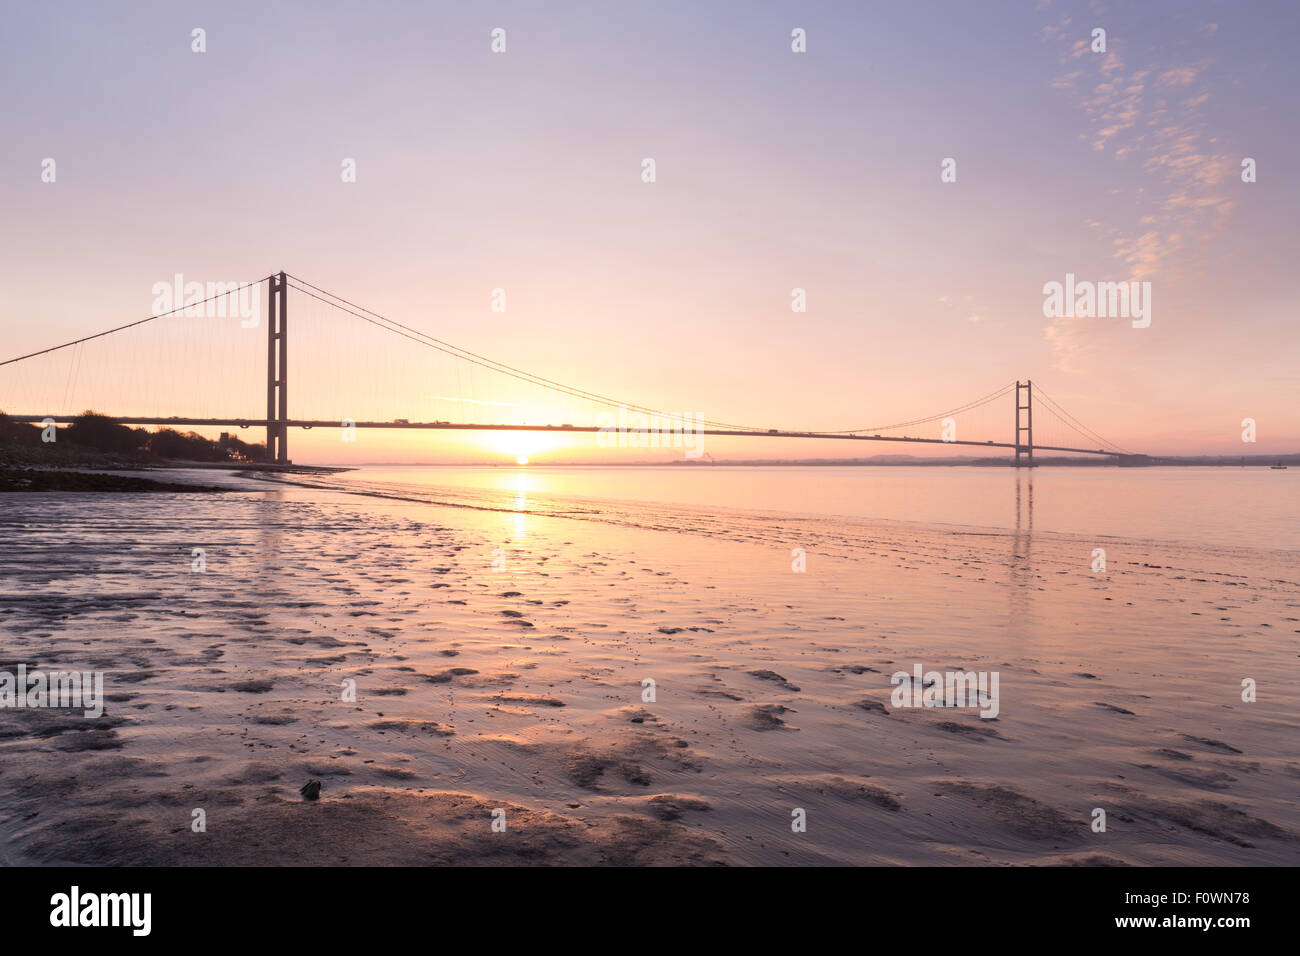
<point x="519" y="687"/>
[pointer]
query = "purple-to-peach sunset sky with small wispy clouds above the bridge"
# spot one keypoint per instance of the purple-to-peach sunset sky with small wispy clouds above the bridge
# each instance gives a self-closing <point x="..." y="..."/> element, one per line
<point x="518" y="178"/>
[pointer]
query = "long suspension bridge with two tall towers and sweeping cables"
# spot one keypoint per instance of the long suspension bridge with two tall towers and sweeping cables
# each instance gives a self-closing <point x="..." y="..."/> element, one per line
<point x="279" y="423"/>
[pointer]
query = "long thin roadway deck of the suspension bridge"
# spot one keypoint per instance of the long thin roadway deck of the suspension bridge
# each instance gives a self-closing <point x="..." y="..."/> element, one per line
<point x="769" y="434"/>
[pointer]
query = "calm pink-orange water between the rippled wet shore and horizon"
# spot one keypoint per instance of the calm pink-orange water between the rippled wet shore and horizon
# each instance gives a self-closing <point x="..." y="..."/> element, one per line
<point x="1240" y="508"/>
